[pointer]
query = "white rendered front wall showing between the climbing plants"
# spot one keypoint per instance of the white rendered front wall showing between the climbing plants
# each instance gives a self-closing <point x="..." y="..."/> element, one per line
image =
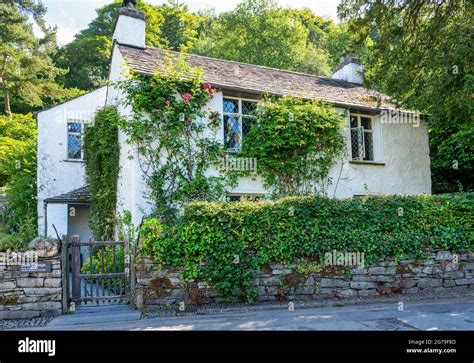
<point x="402" y="164"/>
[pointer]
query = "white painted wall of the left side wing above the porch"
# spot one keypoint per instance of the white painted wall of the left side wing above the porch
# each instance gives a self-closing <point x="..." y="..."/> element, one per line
<point x="56" y="175"/>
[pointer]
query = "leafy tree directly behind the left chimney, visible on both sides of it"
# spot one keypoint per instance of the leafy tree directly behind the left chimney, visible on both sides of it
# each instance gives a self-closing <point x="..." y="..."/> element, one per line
<point x="87" y="57"/>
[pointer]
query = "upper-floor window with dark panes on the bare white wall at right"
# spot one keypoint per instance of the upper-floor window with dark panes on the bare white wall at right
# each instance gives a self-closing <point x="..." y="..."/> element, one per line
<point x="362" y="139"/>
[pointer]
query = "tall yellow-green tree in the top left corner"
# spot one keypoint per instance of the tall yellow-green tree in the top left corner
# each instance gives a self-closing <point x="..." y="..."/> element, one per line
<point x="27" y="73"/>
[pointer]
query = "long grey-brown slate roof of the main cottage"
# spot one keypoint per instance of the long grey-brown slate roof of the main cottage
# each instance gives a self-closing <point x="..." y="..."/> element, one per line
<point x="258" y="79"/>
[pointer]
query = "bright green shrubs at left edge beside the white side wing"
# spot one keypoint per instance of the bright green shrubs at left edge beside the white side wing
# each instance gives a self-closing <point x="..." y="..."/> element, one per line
<point x="18" y="175"/>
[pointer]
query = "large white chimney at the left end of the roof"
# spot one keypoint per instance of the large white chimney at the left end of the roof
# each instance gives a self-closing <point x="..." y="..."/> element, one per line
<point x="130" y="26"/>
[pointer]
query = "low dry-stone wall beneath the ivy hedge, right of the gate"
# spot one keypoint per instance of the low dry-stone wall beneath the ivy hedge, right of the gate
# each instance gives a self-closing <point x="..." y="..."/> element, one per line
<point x="158" y="287"/>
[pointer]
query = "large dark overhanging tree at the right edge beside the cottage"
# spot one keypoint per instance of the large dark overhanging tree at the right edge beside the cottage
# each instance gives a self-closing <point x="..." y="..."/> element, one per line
<point x="422" y="53"/>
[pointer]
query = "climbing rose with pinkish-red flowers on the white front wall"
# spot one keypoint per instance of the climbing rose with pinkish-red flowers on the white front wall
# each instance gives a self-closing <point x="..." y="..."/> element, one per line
<point x="170" y="119"/>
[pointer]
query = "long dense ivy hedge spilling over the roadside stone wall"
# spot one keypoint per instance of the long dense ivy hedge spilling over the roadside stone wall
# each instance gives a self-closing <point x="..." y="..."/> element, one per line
<point x="224" y="243"/>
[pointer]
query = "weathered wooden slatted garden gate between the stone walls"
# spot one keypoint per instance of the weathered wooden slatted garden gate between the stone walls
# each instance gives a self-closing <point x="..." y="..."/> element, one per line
<point x="103" y="275"/>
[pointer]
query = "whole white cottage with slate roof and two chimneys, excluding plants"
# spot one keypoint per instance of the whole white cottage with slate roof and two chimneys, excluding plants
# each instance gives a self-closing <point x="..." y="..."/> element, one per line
<point x="387" y="153"/>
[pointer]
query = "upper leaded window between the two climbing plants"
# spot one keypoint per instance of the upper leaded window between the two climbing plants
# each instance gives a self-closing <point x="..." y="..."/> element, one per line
<point x="239" y="115"/>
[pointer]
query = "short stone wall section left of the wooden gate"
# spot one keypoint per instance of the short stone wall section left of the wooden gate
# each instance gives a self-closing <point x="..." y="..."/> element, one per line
<point x="26" y="295"/>
